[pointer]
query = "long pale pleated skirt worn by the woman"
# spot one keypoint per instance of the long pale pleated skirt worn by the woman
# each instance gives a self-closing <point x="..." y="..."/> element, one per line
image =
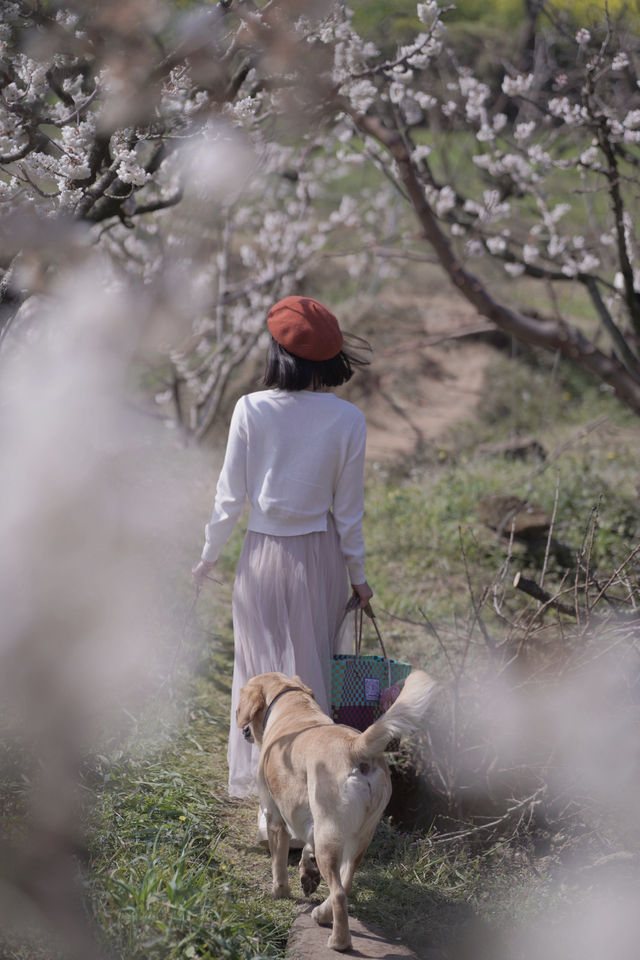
<point x="289" y="597"/>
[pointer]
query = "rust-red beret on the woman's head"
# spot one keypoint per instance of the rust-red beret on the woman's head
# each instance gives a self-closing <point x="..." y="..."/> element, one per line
<point x="305" y="328"/>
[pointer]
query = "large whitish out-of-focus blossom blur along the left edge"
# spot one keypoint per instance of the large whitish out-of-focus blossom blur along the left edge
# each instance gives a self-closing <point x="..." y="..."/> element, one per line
<point x="83" y="531"/>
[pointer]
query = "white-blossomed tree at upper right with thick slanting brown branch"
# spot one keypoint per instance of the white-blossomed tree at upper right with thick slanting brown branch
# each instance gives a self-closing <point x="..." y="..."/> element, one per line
<point x="554" y="199"/>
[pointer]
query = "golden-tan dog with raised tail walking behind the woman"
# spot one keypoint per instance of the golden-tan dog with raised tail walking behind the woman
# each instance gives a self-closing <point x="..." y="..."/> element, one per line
<point x="324" y="783"/>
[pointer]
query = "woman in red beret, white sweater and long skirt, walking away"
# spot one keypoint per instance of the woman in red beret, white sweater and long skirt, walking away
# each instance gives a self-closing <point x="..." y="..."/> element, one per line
<point x="296" y="451"/>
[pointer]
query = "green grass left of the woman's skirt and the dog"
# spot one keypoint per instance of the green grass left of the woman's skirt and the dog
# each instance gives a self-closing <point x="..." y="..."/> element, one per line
<point x="175" y="872"/>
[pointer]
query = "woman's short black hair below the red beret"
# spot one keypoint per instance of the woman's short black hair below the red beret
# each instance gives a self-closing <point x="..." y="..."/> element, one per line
<point x="287" y="372"/>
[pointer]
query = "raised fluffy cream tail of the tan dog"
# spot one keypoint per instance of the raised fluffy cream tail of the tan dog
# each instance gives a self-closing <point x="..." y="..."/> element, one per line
<point x="403" y="718"/>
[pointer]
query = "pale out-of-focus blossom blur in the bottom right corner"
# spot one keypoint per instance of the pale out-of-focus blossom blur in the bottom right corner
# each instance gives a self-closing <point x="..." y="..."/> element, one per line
<point x="560" y="751"/>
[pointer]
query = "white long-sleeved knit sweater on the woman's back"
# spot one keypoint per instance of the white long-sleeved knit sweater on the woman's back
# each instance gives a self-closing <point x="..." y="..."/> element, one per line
<point x="295" y="455"/>
